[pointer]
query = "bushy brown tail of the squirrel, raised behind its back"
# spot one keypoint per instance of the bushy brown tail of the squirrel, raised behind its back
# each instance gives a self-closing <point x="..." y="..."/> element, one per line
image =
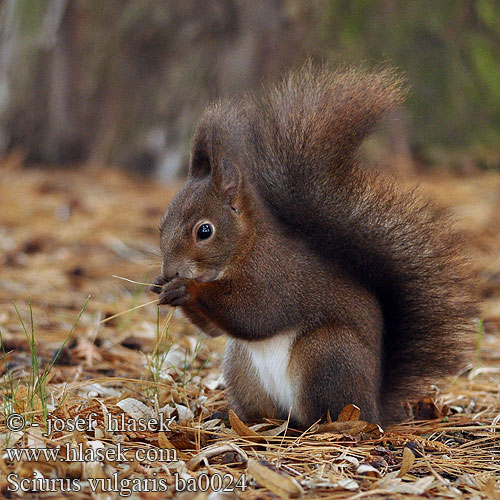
<point x="307" y="132"/>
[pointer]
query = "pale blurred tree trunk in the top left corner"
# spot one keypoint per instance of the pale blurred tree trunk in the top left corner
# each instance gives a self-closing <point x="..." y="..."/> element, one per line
<point x="32" y="97"/>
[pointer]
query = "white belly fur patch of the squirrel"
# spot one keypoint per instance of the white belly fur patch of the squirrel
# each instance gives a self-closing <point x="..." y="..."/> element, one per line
<point x="270" y="358"/>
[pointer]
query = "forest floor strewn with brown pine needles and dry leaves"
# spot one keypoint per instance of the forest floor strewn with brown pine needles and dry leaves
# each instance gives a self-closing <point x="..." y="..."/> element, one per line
<point x="65" y="235"/>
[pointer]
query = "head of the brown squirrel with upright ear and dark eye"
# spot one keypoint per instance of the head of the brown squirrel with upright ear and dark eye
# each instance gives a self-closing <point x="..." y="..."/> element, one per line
<point x="207" y="223"/>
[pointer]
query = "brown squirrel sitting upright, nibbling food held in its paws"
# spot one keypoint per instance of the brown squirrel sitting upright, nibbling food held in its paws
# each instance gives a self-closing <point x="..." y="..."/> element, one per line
<point x="333" y="283"/>
